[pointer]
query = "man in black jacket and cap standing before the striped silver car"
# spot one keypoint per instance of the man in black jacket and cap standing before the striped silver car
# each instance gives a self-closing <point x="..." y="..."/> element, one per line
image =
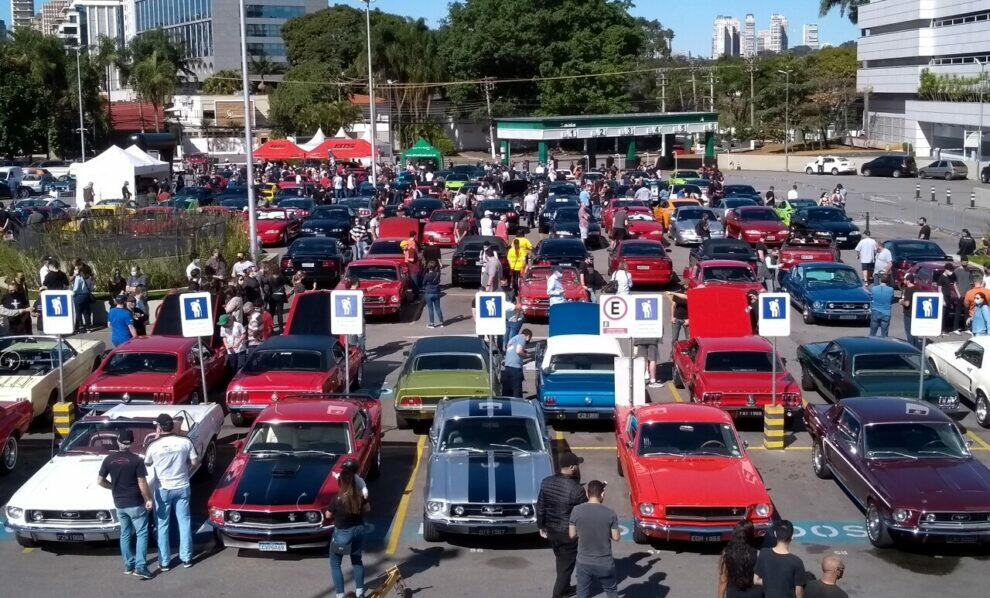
<point x="559" y="494"/>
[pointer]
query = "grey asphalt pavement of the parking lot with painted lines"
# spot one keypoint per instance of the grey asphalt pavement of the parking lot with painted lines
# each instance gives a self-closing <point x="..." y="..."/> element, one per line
<point x="826" y="520"/>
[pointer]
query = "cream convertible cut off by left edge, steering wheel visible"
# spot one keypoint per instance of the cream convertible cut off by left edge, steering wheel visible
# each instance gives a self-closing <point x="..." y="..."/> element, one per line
<point x="29" y="368"/>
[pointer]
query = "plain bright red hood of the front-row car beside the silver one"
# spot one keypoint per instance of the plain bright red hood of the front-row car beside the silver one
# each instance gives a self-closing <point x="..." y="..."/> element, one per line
<point x="709" y="481"/>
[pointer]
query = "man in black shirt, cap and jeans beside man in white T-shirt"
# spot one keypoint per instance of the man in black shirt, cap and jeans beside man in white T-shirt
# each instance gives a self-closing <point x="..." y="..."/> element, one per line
<point x="128" y="484"/>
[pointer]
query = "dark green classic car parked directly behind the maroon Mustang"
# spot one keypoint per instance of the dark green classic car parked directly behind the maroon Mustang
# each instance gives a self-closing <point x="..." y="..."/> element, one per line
<point x="872" y="367"/>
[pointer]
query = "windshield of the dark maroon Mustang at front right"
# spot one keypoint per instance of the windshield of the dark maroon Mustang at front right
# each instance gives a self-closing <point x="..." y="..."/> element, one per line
<point x="917" y="440"/>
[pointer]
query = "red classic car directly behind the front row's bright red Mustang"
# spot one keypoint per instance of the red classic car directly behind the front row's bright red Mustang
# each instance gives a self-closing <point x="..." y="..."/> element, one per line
<point x="734" y="374"/>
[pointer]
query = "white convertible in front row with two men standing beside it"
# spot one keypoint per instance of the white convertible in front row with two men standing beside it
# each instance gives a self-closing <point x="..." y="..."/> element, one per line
<point x="62" y="502"/>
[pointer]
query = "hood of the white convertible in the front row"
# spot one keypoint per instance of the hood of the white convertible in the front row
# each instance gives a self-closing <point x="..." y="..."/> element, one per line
<point x="65" y="483"/>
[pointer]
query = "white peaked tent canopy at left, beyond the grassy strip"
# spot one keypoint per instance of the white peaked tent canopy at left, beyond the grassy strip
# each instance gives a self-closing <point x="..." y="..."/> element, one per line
<point x="110" y="170"/>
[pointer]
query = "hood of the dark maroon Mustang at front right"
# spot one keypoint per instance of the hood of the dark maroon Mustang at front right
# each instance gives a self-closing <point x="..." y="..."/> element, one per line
<point x="934" y="484"/>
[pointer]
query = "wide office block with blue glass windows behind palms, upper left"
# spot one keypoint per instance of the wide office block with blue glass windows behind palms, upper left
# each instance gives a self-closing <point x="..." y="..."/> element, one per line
<point x="210" y="29"/>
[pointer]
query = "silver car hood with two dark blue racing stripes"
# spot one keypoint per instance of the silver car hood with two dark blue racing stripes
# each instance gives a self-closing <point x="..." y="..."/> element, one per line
<point x="502" y="477"/>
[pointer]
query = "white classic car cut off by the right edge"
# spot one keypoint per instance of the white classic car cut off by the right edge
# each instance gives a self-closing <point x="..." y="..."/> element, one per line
<point x="966" y="366"/>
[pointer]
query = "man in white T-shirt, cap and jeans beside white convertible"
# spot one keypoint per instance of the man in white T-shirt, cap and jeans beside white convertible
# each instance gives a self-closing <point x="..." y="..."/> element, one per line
<point x="171" y="458"/>
